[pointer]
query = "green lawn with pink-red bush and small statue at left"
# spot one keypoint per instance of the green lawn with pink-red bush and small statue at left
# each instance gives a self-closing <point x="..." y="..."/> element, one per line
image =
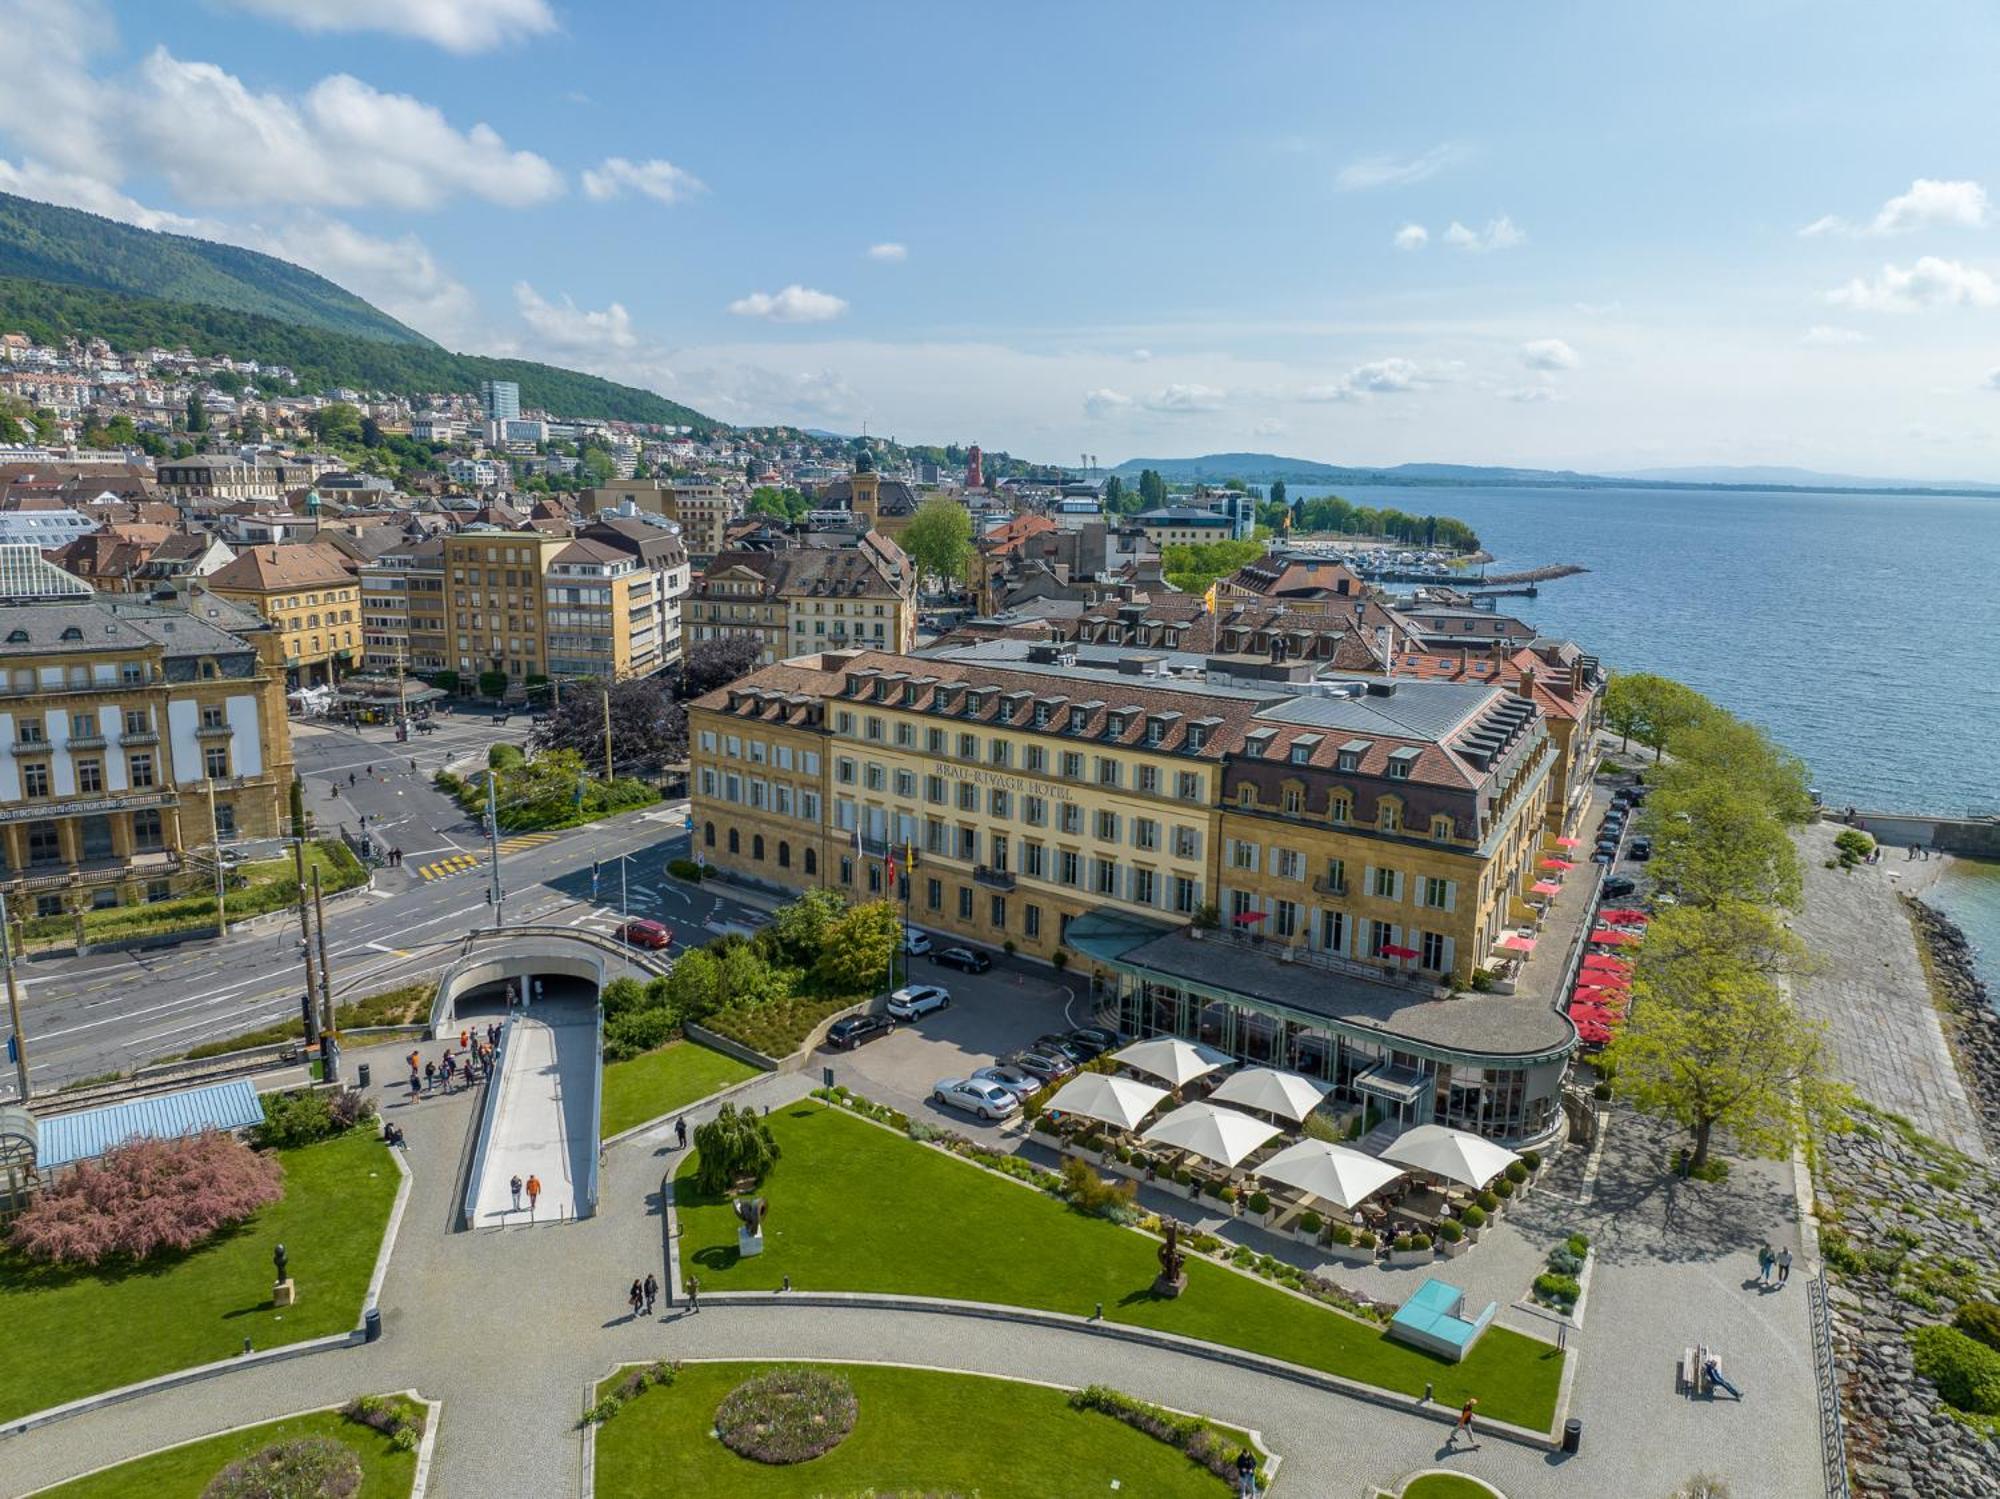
<point x="97" y="1330"/>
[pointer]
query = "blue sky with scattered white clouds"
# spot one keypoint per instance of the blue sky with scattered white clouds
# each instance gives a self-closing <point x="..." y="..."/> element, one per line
<point x="1543" y="235"/>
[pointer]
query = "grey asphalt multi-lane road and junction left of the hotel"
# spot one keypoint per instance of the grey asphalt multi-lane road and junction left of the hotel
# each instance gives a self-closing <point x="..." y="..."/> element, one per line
<point x="89" y="1016"/>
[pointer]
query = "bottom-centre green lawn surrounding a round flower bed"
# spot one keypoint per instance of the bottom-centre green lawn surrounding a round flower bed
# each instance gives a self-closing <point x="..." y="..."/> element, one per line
<point x="917" y="1432"/>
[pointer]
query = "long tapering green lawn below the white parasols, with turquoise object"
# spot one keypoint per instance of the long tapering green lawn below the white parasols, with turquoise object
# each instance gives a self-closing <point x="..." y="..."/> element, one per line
<point x="855" y="1208"/>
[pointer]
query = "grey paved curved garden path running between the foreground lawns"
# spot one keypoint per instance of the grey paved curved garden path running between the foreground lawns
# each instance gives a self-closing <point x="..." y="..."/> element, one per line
<point x="509" y="1326"/>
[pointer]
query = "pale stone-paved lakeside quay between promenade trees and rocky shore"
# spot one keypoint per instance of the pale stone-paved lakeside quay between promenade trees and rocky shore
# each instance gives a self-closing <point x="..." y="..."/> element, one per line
<point x="1873" y="992"/>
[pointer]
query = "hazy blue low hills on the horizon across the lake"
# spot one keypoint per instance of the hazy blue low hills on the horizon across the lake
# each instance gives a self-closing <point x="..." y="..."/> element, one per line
<point x="1269" y="469"/>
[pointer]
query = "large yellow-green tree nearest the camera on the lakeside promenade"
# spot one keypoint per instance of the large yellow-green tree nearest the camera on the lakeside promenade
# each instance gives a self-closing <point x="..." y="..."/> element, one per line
<point x="1713" y="1042"/>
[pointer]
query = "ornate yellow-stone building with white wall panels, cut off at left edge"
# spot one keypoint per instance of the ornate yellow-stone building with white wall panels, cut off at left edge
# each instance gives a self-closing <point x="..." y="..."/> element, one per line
<point x="129" y="735"/>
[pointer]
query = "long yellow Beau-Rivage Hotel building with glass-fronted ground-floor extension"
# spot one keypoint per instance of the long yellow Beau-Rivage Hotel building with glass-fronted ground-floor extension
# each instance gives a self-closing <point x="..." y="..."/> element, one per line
<point x="1313" y="868"/>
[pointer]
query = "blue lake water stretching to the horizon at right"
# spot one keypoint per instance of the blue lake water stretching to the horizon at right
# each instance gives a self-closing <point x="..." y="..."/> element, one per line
<point x="1863" y="631"/>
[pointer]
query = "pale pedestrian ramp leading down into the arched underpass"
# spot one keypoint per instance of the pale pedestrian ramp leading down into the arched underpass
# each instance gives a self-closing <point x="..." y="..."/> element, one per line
<point x="543" y="1120"/>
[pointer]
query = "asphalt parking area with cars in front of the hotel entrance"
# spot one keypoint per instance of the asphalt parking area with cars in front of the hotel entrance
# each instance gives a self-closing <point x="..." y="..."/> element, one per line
<point x="991" y="1016"/>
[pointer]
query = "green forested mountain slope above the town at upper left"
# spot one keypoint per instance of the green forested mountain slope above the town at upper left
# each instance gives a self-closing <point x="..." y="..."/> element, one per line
<point x="67" y="273"/>
